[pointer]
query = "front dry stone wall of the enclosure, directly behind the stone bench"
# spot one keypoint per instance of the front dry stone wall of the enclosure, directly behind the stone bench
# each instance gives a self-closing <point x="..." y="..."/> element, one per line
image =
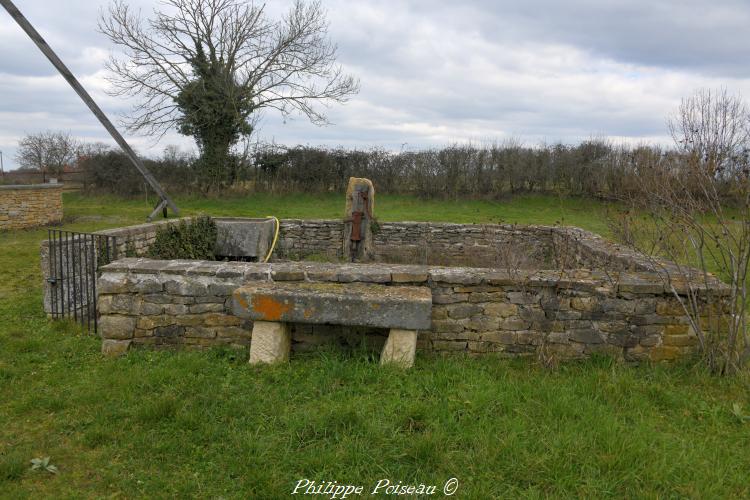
<point x="476" y="311"/>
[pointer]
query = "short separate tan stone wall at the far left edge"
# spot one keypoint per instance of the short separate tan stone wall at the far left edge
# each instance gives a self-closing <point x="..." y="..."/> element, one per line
<point x="23" y="206"/>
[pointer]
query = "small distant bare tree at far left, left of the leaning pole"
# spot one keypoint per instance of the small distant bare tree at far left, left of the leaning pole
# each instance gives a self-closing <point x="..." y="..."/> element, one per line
<point x="48" y="152"/>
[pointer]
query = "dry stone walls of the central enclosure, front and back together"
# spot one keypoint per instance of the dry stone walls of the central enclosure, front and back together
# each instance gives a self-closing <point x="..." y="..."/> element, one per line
<point x="594" y="297"/>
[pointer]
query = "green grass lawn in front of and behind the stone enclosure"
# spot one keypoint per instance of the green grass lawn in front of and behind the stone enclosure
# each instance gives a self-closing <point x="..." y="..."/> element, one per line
<point x="207" y="425"/>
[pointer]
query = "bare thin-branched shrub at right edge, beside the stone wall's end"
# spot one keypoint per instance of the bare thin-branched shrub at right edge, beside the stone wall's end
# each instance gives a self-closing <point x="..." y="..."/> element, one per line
<point x="694" y="208"/>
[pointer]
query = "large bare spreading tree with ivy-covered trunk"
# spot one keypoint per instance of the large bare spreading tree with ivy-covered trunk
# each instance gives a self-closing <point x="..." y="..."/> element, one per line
<point x="208" y="67"/>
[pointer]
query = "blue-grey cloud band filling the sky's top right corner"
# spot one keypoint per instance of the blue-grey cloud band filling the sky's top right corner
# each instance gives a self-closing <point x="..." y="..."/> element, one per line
<point x="703" y="35"/>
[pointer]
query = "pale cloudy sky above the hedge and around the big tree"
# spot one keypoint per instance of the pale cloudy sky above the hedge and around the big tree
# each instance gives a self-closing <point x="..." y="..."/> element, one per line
<point x="432" y="72"/>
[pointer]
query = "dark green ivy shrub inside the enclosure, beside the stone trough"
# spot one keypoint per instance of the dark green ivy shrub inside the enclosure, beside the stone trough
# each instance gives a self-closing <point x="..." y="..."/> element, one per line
<point x="186" y="240"/>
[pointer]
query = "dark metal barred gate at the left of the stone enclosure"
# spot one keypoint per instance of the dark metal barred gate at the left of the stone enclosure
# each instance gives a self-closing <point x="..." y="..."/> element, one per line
<point x="74" y="261"/>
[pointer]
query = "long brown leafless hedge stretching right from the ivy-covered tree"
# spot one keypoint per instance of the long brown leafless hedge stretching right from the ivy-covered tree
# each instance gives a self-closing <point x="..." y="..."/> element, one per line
<point x="593" y="168"/>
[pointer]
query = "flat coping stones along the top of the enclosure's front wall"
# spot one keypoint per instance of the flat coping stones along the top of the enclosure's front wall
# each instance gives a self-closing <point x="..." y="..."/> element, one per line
<point x="630" y="282"/>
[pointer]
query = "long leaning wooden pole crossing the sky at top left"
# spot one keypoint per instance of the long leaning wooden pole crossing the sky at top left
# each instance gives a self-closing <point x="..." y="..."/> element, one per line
<point x="65" y="72"/>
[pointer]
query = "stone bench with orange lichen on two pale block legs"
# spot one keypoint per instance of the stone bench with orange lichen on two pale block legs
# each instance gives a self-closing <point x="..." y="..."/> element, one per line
<point x="272" y="306"/>
